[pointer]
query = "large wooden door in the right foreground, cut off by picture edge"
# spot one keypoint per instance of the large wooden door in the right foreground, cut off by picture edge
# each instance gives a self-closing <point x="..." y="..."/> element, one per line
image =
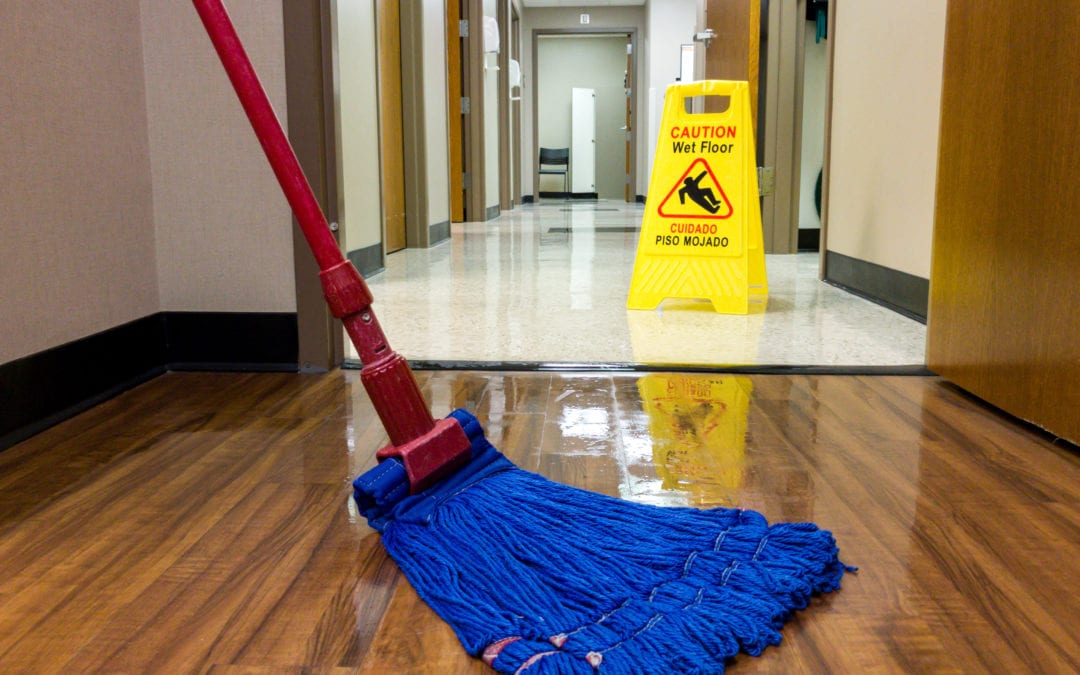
<point x="1005" y="281"/>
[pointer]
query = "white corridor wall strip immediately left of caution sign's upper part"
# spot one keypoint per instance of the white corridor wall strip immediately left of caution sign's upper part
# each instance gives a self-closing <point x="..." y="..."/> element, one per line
<point x="670" y="24"/>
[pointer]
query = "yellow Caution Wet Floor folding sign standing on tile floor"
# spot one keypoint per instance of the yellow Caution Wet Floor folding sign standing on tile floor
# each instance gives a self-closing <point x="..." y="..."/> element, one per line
<point x="701" y="237"/>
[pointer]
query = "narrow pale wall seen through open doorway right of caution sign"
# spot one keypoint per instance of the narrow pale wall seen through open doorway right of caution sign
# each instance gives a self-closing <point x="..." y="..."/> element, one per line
<point x="816" y="67"/>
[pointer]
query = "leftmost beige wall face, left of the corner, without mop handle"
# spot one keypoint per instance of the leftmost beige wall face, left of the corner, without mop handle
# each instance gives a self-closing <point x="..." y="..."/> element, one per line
<point x="77" y="252"/>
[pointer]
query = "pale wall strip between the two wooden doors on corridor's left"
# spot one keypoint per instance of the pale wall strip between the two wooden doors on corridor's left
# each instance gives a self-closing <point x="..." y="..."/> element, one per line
<point x="435" y="111"/>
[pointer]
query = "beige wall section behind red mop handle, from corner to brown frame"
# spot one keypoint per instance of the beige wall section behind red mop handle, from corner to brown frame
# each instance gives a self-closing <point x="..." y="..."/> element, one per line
<point x="224" y="239"/>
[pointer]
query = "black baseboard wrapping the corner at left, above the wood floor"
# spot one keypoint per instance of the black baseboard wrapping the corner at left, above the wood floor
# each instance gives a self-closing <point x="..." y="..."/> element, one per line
<point x="44" y="389"/>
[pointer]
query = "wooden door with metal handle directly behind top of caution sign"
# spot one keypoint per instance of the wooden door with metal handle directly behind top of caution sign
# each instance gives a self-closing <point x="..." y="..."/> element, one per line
<point x="735" y="53"/>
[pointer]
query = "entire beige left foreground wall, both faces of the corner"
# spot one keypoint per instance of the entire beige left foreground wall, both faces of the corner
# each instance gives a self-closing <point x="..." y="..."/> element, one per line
<point x="132" y="181"/>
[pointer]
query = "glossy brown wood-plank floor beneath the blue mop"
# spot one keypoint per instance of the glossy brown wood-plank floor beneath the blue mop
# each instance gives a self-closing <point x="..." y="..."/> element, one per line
<point x="201" y="522"/>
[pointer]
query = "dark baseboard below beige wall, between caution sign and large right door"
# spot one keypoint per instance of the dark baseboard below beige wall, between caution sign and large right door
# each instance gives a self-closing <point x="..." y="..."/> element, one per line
<point x="900" y="292"/>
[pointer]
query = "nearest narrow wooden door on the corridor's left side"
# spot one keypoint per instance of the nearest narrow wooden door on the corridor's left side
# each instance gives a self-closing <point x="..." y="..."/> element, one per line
<point x="388" y="18"/>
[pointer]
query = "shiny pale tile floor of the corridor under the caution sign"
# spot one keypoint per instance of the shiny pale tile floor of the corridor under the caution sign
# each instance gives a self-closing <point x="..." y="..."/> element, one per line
<point x="548" y="283"/>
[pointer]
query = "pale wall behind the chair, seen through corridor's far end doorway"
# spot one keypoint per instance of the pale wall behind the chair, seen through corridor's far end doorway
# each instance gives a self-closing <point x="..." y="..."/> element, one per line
<point x="562" y="61"/>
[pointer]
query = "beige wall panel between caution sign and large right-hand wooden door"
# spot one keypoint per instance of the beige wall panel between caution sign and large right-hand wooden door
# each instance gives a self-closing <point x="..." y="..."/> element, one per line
<point x="886" y="109"/>
